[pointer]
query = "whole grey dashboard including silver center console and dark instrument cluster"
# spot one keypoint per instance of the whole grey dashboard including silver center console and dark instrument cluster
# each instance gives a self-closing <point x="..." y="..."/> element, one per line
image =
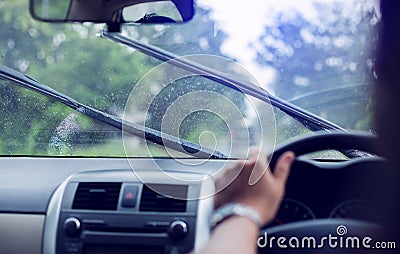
<point x="99" y="205"/>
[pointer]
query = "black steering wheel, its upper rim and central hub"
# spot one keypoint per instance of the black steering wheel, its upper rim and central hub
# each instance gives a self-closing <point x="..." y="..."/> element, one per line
<point x="320" y="228"/>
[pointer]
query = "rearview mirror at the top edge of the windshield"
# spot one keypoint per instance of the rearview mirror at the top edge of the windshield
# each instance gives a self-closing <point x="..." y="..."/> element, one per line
<point x="113" y="12"/>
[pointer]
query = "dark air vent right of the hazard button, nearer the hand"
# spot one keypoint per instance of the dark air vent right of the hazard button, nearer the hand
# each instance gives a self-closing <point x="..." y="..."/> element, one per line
<point x="152" y="201"/>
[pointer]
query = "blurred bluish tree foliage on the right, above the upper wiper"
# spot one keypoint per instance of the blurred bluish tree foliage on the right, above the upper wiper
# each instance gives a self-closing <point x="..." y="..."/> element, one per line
<point x="326" y="66"/>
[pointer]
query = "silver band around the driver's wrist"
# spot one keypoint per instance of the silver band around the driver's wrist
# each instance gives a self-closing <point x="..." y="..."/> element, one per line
<point x="235" y="209"/>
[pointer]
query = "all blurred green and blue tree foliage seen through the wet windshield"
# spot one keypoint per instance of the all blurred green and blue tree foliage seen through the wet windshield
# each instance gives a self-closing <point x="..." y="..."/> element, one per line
<point x="71" y="59"/>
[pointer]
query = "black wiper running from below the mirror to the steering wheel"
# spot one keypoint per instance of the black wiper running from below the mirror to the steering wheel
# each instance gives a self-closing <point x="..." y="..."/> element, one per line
<point x="308" y="119"/>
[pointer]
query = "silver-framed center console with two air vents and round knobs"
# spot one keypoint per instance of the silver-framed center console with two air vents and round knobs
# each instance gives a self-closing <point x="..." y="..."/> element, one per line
<point x="114" y="212"/>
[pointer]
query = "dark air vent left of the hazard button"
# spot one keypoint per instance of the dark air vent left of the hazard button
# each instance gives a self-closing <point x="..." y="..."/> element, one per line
<point x="97" y="196"/>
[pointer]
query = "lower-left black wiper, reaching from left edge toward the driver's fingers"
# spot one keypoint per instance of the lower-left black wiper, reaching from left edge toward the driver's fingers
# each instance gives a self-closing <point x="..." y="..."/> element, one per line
<point x="149" y="134"/>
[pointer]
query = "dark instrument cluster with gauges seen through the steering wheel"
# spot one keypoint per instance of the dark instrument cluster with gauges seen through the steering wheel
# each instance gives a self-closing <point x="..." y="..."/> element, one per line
<point x="332" y="189"/>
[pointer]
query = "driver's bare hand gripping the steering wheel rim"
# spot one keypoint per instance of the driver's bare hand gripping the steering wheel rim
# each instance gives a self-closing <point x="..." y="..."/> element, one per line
<point x="266" y="194"/>
